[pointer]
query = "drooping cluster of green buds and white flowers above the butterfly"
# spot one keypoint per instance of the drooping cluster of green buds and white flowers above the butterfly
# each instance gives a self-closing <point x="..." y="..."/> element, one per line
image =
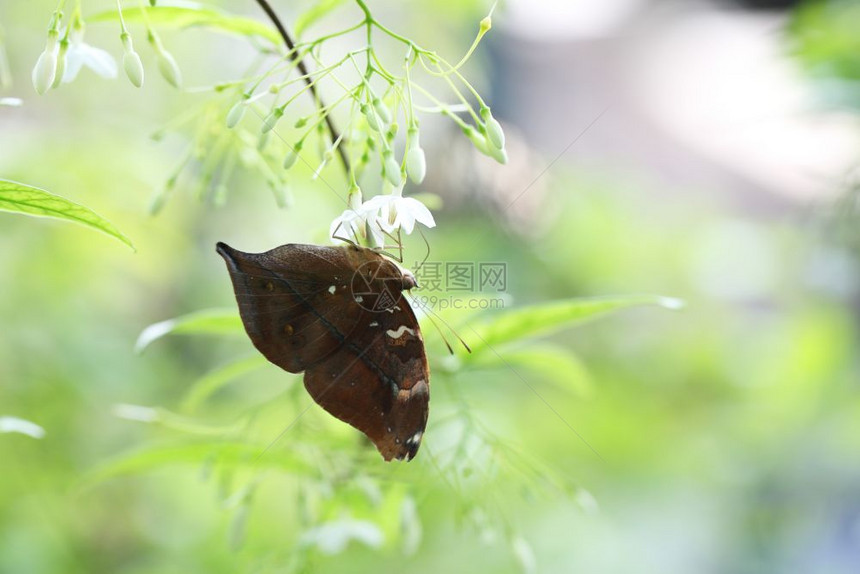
<point x="382" y="100"/>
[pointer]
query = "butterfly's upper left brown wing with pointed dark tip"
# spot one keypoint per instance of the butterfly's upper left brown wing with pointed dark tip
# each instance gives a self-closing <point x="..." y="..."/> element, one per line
<point x="294" y="300"/>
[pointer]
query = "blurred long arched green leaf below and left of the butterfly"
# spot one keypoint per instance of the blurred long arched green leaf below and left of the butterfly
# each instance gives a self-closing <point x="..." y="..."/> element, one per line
<point x="228" y="454"/>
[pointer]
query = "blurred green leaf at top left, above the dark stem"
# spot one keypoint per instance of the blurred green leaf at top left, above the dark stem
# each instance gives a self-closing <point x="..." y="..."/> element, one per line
<point x="192" y="15"/>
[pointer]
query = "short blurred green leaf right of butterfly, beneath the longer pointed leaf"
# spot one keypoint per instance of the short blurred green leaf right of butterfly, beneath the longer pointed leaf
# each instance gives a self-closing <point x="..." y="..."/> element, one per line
<point x="549" y="362"/>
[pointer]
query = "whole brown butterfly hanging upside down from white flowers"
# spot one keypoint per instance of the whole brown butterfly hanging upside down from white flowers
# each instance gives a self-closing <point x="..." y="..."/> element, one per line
<point x="337" y="314"/>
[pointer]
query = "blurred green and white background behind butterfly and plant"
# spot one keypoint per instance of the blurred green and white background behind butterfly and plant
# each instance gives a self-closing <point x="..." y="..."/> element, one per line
<point x="700" y="150"/>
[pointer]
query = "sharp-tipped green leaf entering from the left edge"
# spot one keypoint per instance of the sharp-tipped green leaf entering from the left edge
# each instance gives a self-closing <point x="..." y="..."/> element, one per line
<point x="20" y="198"/>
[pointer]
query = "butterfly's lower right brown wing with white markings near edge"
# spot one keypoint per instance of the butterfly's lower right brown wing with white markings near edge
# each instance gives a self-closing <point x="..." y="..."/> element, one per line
<point x="379" y="382"/>
